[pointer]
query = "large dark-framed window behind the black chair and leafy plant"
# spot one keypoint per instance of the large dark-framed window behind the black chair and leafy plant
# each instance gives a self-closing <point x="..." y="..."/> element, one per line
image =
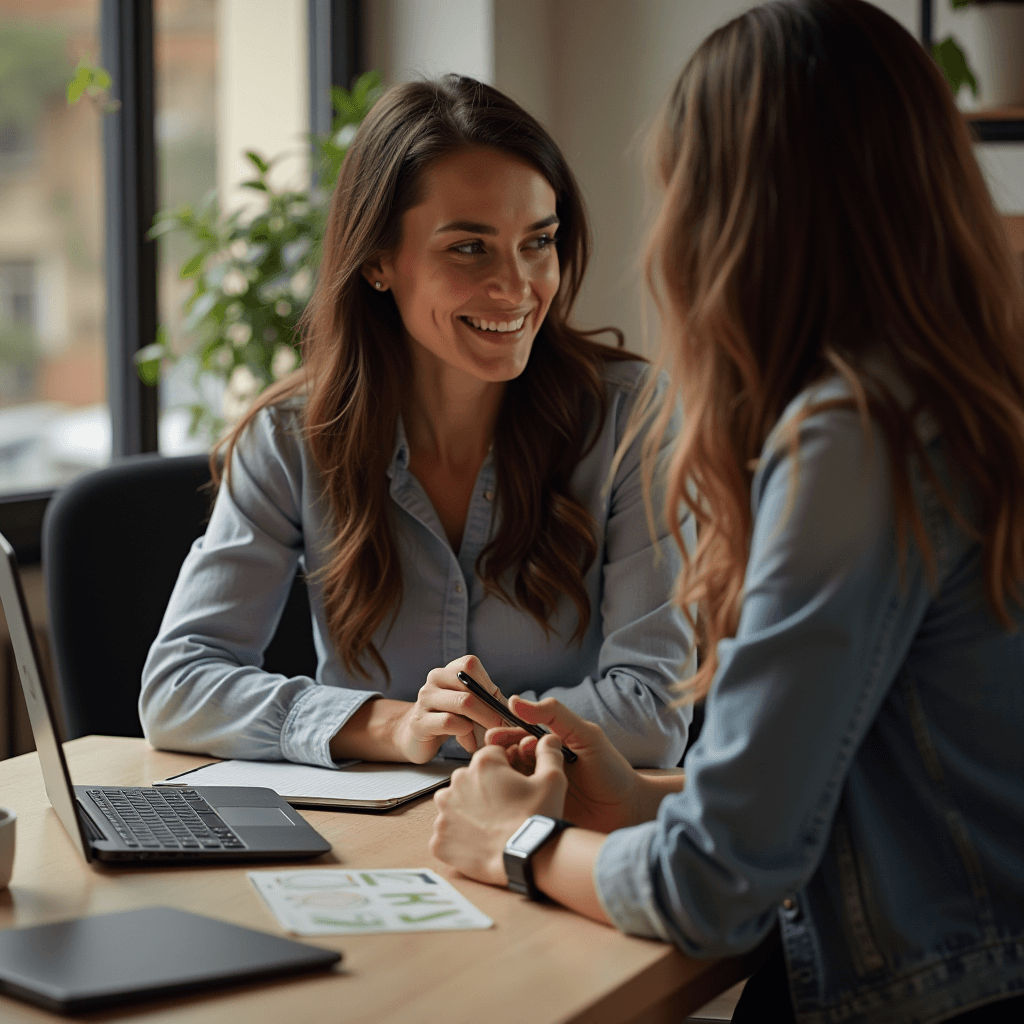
<point x="201" y="80"/>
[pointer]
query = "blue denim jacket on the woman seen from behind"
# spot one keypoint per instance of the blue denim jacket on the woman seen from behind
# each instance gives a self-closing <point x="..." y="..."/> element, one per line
<point x="861" y="775"/>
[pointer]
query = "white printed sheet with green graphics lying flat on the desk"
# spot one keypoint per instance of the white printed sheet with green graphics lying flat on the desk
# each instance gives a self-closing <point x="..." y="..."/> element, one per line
<point x="329" y="902"/>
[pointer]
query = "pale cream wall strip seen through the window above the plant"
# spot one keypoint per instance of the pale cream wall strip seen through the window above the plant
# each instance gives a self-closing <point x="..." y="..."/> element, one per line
<point x="263" y="95"/>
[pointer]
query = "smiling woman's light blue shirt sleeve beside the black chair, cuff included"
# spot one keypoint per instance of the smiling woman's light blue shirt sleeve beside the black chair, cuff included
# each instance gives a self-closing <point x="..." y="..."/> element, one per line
<point x="204" y="690"/>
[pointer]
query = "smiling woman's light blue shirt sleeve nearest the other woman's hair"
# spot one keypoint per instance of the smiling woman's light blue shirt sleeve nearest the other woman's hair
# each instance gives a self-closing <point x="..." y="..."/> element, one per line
<point x="648" y="644"/>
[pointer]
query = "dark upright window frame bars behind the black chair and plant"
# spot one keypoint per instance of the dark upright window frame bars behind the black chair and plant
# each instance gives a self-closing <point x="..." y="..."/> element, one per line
<point x="131" y="198"/>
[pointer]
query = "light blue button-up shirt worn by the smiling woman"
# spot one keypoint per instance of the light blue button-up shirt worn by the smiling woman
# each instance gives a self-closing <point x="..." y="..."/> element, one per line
<point x="204" y="691"/>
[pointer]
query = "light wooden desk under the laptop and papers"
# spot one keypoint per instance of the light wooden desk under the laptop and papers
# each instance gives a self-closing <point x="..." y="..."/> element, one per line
<point x="540" y="963"/>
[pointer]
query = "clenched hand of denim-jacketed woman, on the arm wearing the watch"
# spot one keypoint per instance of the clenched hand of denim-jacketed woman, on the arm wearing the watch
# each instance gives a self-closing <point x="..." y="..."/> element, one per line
<point x="488" y="802"/>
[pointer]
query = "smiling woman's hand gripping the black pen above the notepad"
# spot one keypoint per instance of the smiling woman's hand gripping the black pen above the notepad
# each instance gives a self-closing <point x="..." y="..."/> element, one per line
<point x="445" y="708"/>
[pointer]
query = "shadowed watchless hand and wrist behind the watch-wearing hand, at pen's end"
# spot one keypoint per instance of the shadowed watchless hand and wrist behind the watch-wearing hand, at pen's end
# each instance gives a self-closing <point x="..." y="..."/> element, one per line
<point x="606" y="793"/>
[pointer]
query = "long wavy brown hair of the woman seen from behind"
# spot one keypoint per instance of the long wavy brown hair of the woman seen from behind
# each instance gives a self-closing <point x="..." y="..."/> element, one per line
<point x="823" y="205"/>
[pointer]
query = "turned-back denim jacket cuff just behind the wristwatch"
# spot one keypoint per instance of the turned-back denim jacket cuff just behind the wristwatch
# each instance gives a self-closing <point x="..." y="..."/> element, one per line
<point x="623" y="883"/>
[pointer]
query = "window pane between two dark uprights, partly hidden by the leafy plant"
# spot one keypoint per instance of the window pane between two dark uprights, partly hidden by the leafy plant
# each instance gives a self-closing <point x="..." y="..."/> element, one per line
<point x="226" y="82"/>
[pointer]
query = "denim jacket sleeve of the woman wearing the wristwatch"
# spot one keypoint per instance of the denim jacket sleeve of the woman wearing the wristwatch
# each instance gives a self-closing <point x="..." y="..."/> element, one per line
<point x="824" y="630"/>
